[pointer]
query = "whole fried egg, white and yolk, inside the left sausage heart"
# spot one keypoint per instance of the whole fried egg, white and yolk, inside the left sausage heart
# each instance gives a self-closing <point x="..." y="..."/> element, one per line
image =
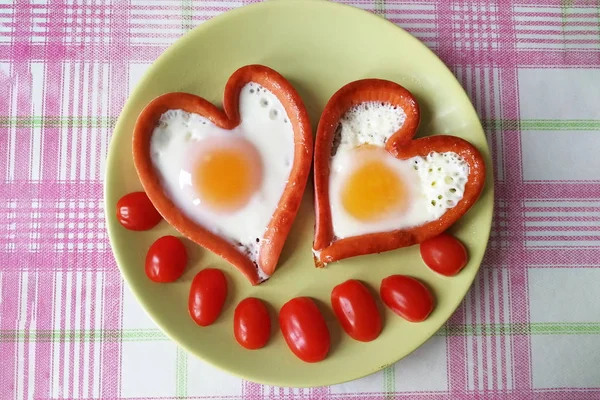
<point x="228" y="181"/>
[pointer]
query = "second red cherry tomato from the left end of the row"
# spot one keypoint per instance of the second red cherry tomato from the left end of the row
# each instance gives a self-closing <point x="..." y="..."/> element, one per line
<point x="166" y="259"/>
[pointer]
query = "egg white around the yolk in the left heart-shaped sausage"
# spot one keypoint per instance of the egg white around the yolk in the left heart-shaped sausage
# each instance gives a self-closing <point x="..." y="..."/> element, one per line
<point x="266" y="125"/>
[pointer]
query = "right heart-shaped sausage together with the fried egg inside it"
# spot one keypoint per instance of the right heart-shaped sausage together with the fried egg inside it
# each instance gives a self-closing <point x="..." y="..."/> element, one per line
<point x="377" y="188"/>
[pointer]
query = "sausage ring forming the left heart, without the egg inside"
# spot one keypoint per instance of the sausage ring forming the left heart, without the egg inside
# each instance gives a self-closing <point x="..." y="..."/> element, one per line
<point x="275" y="234"/>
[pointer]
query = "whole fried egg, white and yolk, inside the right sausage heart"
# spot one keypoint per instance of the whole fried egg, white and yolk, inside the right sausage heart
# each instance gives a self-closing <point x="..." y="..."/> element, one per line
<point x="372" y="191"/>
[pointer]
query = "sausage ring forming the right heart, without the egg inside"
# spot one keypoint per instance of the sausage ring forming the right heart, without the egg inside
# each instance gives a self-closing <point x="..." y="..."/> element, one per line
<point x="328" y="246"/>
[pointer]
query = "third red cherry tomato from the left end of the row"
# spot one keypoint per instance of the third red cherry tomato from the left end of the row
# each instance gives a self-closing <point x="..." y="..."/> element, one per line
<point x="207" y="296"/>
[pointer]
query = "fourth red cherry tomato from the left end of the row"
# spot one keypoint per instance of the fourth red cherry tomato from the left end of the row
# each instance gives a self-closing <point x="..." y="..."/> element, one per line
<point x="251" y="323"/>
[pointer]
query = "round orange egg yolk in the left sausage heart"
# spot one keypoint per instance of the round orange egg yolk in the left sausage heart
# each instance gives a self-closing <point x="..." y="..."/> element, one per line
<point x="227" y="177"/>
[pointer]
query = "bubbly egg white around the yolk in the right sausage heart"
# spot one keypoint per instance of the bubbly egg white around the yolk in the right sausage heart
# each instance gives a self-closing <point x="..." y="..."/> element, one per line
<point x="434" y="183"/>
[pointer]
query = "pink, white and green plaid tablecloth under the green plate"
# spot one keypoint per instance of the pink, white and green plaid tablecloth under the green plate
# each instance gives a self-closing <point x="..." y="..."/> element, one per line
<point x="530" y="326"/>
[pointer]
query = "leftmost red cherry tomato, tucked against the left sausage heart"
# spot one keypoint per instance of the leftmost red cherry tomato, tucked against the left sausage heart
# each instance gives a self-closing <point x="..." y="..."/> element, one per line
<point x="136" y="212"/>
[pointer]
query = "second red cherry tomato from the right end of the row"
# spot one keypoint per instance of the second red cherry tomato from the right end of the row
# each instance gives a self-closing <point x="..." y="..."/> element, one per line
<point x="407" y="297"/>
